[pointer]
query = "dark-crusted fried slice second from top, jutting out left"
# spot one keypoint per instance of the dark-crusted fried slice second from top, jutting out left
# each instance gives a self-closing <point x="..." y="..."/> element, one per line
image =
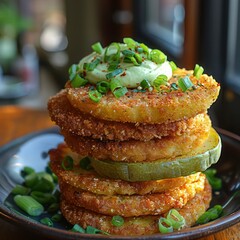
<point x="73" y="120"/>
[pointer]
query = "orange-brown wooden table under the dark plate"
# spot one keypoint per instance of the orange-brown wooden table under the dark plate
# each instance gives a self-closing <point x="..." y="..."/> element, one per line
<point x="16" y="122"/>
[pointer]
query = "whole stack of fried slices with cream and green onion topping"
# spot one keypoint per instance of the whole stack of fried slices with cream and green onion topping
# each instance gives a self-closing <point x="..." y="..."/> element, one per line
<point x="137" y="137"/>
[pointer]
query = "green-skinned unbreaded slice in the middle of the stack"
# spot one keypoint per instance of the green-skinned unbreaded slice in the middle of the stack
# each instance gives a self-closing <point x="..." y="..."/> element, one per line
<point x="197" y="161"/>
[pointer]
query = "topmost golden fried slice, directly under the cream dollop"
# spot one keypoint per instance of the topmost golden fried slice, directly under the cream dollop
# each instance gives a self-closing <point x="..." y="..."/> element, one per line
<point x="149" y="107"/>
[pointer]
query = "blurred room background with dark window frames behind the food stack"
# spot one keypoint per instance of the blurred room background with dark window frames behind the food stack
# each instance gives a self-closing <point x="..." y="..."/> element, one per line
<point x="39" y="40"/>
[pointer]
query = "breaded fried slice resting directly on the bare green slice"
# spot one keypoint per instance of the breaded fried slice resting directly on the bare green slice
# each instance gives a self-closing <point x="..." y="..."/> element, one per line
<point x="139" y="151"/>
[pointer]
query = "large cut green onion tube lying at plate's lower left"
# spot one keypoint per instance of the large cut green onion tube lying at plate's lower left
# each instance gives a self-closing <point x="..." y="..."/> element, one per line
<point x="29" y="205"/>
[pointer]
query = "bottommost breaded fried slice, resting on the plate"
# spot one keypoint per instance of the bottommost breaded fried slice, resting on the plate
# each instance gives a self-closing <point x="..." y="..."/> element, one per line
<point x="143" y="225"/>
